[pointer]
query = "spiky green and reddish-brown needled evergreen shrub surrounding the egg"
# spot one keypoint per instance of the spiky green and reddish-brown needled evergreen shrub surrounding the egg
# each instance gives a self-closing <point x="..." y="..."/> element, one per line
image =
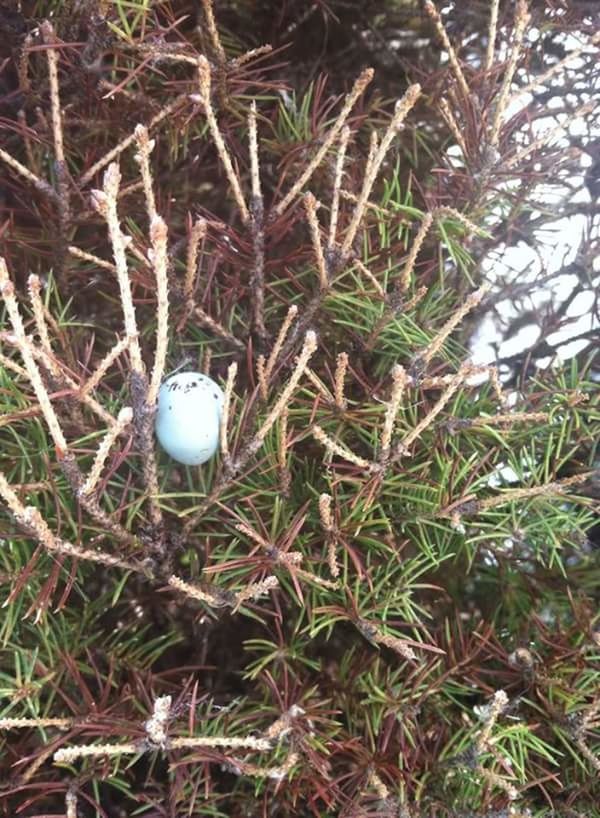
<point x="380" y="598"/>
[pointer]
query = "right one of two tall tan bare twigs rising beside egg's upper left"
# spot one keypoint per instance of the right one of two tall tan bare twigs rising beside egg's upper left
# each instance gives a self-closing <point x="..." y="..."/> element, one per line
<point x="158" y="238"/>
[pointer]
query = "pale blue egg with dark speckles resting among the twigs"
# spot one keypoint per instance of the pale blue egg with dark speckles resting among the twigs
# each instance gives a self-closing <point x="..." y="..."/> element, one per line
<point x="188" y="417"/>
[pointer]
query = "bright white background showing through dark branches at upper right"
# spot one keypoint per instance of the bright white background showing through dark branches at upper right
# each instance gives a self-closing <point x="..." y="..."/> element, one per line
<point x="543" y="253"/>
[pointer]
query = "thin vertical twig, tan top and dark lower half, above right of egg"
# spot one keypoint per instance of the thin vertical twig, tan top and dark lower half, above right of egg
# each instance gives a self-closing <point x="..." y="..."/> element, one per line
<point x="257" y="228"/>
